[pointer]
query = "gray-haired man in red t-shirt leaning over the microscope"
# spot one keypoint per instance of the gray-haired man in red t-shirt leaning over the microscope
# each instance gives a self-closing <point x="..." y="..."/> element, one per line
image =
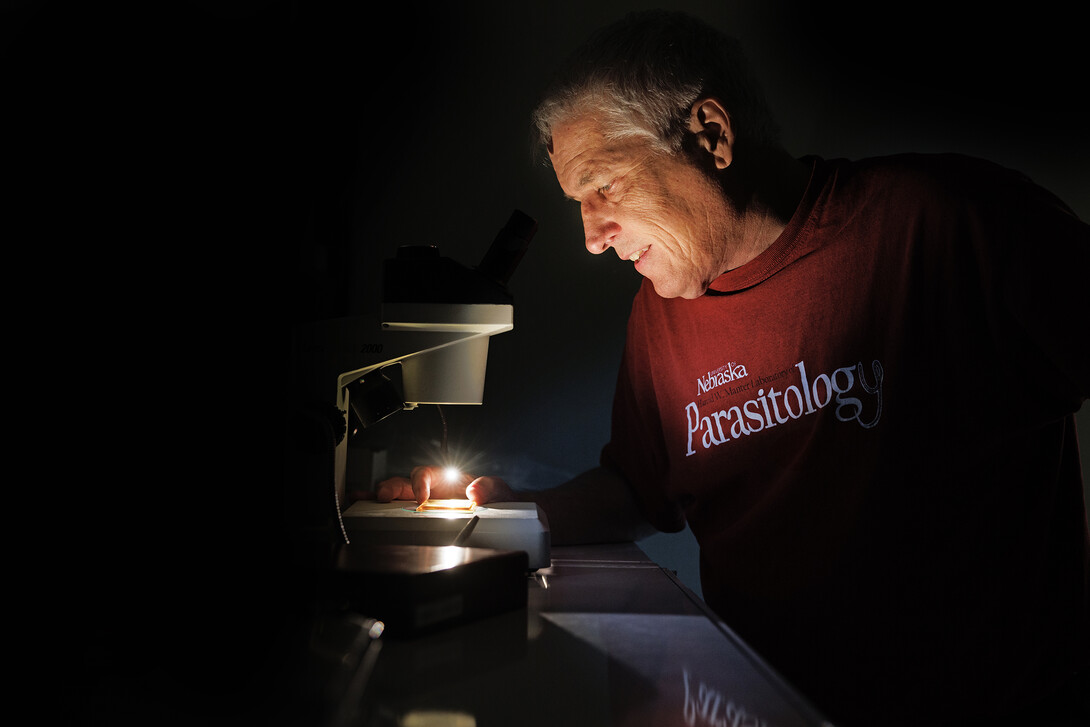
<point x="856" y="382"/>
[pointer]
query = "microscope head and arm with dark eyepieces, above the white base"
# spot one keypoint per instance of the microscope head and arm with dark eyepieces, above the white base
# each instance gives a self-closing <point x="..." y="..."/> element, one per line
<point x="435" y="321"/>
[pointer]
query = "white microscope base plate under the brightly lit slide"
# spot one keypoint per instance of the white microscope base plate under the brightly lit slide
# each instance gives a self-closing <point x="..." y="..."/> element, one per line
<point x="501" y="526"/>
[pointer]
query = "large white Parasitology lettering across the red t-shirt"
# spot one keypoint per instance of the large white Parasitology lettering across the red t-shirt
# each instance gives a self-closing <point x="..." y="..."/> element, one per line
<point x="845" y="389"/>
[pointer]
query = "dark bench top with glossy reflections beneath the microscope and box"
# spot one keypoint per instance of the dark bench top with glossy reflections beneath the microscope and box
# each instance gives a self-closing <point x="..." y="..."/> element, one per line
<point x="605" y="638"/>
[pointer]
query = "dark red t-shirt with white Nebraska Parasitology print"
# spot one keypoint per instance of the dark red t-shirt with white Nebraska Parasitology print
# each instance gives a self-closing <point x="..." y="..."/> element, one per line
<point x="870" y="431"/>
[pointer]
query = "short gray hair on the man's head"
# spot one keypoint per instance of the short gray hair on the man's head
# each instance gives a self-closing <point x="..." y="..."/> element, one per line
<point x="641" y="77"/>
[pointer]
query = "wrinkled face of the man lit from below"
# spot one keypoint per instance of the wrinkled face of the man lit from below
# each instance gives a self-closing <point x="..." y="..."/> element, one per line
<point x="657" y="210"/>
